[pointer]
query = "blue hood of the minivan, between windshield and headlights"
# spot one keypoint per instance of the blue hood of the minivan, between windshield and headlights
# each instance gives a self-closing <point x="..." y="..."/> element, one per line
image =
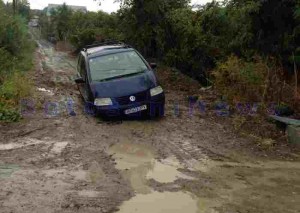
<point x="124" y="86"/>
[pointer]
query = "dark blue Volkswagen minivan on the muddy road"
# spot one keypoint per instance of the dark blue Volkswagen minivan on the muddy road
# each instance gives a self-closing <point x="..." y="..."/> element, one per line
<point x="115" y="80"/>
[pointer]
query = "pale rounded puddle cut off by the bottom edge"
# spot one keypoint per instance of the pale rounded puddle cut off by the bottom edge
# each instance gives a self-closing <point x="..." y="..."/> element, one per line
<point x="157" y="202"/>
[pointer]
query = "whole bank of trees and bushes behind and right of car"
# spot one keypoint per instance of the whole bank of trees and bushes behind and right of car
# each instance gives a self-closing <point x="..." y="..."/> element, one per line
<point x="249" y="49"/>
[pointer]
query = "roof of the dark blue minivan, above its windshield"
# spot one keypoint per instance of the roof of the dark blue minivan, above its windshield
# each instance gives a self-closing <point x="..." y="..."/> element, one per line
<point x="105" y="49"/>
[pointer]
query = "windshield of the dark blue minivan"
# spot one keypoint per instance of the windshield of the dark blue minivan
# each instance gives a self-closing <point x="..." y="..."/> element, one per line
<point x="116" y="65"/>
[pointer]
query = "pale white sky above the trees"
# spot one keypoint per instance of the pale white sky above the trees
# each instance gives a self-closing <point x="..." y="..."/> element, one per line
<point x="106" y="5"/>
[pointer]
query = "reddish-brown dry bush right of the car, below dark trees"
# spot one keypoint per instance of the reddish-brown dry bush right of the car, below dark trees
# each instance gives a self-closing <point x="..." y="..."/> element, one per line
<point x="240" y="80"/>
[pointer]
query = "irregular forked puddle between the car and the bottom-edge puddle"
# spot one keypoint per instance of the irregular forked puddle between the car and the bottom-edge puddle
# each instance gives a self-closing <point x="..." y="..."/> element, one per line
<point x="138" y="165"/>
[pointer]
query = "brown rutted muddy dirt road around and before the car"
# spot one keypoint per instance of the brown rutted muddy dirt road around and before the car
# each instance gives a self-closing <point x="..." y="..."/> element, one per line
<point x="56" y="162"/>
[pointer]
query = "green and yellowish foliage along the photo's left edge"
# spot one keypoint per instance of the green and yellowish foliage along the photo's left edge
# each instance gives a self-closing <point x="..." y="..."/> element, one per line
<point x="16" y="50"/>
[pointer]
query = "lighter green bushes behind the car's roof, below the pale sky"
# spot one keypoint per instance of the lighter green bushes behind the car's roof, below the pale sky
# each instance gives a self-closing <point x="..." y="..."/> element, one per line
<point x="80" y="28"/>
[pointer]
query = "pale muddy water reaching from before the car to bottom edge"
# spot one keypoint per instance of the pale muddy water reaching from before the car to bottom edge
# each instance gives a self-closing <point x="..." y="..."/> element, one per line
<point x="138" y="165"/>
